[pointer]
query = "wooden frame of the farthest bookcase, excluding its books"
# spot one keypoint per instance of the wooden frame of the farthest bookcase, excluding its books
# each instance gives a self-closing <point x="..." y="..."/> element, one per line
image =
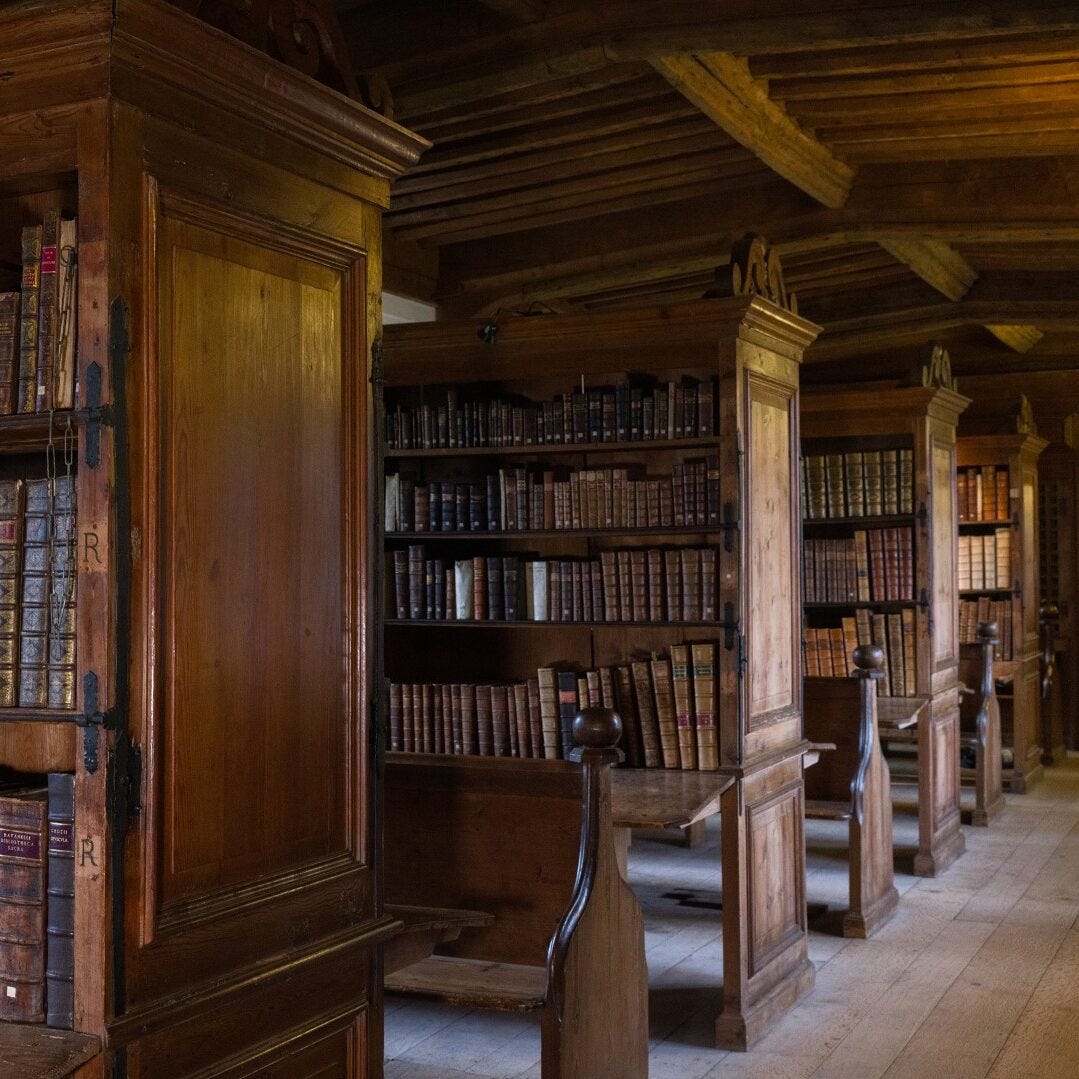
<point x="1021" y="673"/>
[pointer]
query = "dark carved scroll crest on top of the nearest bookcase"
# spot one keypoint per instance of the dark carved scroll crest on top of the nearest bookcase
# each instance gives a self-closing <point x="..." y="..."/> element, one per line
<point x="303" y="34"/>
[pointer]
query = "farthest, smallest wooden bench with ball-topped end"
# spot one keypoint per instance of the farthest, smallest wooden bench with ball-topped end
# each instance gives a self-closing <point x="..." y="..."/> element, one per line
<point x="980" y="723"/>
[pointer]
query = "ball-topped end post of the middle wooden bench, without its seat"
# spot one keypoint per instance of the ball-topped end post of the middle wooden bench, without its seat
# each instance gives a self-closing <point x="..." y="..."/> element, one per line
<point x="873" y="895"/>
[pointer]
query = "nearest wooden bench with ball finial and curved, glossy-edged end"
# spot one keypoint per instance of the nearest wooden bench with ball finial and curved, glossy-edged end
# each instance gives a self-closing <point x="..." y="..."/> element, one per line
<point x="531" y="843"/>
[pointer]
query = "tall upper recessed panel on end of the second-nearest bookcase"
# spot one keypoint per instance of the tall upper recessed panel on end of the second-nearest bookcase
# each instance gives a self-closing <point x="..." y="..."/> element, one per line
<point x="769" y="558"/>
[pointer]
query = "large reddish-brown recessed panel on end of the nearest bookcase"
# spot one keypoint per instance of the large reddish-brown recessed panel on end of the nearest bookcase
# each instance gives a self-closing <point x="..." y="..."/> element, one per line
<point x="251" y="520"/>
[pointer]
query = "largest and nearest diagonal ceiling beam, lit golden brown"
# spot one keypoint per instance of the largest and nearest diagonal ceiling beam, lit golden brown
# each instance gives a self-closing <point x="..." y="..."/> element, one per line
<point x="722" y="88"/>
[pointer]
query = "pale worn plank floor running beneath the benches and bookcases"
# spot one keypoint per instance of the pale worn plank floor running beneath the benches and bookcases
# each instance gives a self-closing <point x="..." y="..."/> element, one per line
<point x="977" y="975"/>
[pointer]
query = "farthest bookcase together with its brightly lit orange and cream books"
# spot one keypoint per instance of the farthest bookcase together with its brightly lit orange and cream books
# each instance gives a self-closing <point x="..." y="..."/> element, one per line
<point x="998" y="570"/>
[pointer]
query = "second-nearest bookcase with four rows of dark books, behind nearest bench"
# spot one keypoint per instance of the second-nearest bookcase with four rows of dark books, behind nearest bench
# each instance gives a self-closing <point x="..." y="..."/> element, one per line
<point x="570" y="521"/>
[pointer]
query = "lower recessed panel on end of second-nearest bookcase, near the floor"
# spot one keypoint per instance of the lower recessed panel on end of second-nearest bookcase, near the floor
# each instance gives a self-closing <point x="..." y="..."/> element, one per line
<point x="776" y="881"/>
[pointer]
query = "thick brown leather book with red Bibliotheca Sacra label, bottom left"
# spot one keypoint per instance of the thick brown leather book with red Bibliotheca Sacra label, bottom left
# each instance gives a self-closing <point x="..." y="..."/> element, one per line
<point x="23" y="848"/>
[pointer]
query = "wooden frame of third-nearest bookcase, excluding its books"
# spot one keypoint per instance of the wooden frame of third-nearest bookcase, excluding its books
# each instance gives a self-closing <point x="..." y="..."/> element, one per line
<point x="921" y="421"/>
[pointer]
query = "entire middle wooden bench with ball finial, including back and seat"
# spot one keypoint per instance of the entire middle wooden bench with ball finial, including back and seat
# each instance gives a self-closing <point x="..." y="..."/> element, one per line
<point x="852" y="784"/>
